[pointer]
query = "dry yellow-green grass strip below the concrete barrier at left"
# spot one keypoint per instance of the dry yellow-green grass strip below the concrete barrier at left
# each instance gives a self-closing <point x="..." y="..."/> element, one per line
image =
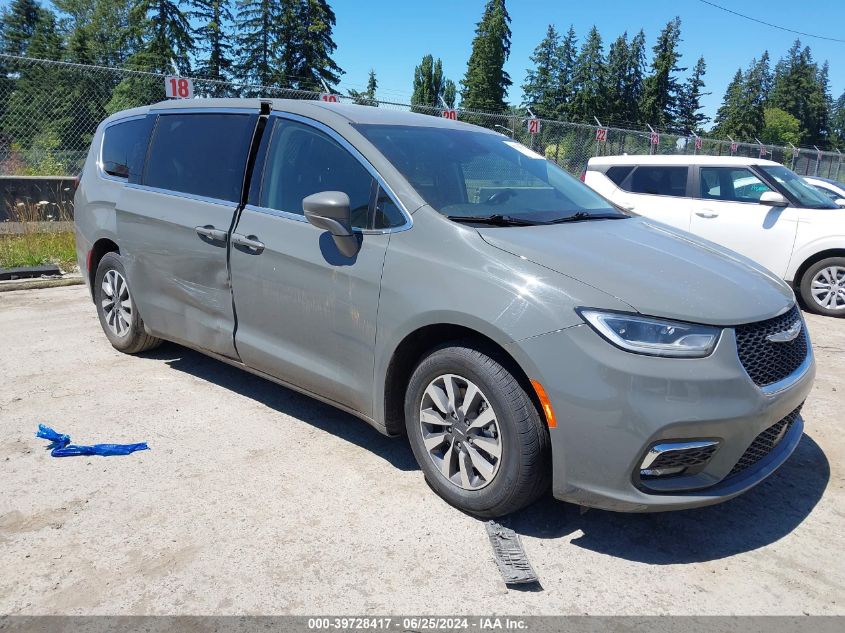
<point x="37" y="239"/>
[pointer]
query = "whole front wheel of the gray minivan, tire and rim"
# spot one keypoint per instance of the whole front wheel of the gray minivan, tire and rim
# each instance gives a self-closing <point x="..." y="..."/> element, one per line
<point x="475" y="432"/>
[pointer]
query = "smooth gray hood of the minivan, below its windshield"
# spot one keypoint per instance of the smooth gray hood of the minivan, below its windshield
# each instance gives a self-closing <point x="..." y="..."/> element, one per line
<point x="657" y="270"/>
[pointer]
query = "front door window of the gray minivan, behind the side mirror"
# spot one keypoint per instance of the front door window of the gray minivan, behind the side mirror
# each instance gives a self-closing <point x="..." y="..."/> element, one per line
<point x="301" y="161"/>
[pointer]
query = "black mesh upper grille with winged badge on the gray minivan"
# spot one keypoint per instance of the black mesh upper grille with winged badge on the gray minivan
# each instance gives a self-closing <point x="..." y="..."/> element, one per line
<point x="768" y="362"/>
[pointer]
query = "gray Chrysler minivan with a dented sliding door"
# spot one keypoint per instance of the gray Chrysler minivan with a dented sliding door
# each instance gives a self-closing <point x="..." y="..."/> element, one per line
<point x="441" y="281"/>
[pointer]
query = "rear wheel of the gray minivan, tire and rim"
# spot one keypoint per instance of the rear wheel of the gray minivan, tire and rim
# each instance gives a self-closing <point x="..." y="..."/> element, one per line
<point x="118" y="313"/>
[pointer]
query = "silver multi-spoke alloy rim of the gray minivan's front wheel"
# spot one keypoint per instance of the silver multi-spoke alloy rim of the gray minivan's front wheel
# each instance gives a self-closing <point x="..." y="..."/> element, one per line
<point x="460" y="432"/>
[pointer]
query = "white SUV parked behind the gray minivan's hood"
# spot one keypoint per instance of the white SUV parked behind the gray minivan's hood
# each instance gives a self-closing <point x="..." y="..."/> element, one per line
<point x="757" y="208"/>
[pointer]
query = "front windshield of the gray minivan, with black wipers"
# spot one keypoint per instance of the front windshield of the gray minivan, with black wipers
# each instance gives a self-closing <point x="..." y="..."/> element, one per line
<point x="466" y="174"/>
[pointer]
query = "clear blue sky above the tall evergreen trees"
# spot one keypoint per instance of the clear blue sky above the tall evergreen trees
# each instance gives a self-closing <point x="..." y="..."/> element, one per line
<point x="391" y="36"/>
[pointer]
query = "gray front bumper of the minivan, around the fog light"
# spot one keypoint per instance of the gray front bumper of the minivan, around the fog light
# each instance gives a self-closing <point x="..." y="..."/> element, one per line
<point x="612" y="406"/>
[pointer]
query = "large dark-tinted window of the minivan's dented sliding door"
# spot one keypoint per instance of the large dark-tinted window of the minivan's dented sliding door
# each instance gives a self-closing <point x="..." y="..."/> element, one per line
<point x="200" y="154"/>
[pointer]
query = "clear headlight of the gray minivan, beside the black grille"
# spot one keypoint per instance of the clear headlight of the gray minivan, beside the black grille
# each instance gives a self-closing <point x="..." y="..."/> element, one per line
<point x="655" y="337"/>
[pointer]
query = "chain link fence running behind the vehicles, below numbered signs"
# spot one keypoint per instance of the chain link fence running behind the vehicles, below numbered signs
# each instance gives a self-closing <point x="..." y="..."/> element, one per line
<point x="49" y="111"/>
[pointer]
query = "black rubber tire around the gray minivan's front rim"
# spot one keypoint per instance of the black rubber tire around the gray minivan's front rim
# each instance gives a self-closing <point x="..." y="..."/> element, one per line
<point x="524" y="470"/>
